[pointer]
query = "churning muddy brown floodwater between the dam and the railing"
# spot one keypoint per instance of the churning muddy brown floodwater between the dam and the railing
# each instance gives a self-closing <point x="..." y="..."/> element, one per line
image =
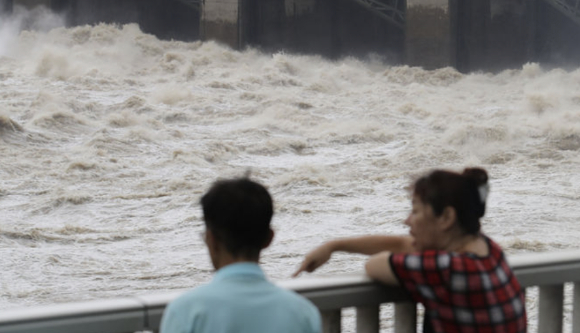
<point x="108" y="137"/>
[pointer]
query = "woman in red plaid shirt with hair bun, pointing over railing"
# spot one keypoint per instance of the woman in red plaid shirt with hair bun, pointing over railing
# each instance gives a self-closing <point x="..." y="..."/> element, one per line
<point x="459" y="274"/>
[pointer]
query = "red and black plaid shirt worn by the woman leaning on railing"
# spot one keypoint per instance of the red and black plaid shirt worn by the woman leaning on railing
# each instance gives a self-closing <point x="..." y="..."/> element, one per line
<point x="462" y="292"/>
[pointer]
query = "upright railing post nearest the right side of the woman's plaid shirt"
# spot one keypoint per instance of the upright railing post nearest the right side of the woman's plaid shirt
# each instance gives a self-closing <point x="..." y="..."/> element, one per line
<point x="550" y="310"/>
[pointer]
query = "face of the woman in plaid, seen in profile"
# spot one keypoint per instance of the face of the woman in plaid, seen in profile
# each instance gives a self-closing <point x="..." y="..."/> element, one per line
<point x="423" y="226"/>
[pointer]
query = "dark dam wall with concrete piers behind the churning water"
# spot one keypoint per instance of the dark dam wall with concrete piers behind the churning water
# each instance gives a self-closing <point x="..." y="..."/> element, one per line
<point x="471" y="35"/>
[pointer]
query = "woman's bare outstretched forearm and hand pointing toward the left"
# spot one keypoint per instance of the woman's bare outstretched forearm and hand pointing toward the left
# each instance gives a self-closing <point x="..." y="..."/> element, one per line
<point x="369" y="245"/>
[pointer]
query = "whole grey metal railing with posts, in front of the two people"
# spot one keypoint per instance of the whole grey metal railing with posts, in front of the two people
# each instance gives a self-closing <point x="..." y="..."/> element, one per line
<point x="548" y="271"/>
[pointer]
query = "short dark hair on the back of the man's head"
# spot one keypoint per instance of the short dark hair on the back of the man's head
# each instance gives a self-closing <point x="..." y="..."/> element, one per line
<point x="238" y="212"/>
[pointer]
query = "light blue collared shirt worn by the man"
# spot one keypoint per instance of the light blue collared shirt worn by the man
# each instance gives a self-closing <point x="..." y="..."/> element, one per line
<point x="240" y="299"/>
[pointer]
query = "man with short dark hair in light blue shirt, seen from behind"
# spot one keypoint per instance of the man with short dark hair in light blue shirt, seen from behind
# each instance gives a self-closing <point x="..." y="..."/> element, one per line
<point x="239" y="299"/>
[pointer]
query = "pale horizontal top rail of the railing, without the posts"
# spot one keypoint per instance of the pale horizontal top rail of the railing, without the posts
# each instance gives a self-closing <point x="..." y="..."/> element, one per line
<point x="328" y="292"/>
